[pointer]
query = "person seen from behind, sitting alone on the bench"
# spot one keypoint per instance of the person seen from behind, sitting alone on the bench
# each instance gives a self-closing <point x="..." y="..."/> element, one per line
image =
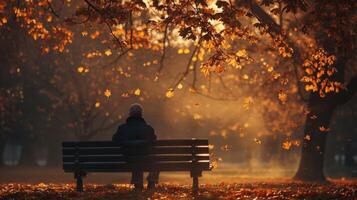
<point x="136" y="128"/>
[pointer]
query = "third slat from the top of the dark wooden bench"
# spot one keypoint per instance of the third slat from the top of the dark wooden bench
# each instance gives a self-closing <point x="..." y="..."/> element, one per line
<point x="150" y="158"/>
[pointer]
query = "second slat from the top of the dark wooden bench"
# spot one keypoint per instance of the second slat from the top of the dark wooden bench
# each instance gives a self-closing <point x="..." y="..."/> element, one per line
<point x="137" y="151"/>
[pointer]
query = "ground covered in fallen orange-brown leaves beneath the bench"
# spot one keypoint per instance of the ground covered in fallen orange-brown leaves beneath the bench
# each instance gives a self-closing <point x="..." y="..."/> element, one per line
<point x="259" y="190"/>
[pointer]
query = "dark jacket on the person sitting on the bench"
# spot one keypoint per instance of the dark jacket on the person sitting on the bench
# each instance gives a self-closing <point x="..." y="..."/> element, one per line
<point x="135" y="128"/>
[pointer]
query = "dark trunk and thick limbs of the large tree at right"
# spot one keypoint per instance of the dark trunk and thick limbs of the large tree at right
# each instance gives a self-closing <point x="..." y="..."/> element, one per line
<point x="312" y="157"/>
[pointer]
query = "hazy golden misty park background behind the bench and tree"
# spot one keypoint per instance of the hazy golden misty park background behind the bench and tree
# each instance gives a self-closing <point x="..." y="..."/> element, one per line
<point x="40" y="118"/>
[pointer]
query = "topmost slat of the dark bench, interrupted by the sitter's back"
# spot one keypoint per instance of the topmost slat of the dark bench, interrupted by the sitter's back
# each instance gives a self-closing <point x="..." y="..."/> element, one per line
<point x="183" y="142"/>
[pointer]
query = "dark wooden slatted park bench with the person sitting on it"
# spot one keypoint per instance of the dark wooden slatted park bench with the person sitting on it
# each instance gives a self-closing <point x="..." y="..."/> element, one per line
<point x="190" y="155"/>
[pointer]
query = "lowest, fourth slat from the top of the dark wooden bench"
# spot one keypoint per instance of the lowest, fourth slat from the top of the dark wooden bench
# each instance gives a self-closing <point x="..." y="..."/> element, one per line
<point x="128" y="167"/>
